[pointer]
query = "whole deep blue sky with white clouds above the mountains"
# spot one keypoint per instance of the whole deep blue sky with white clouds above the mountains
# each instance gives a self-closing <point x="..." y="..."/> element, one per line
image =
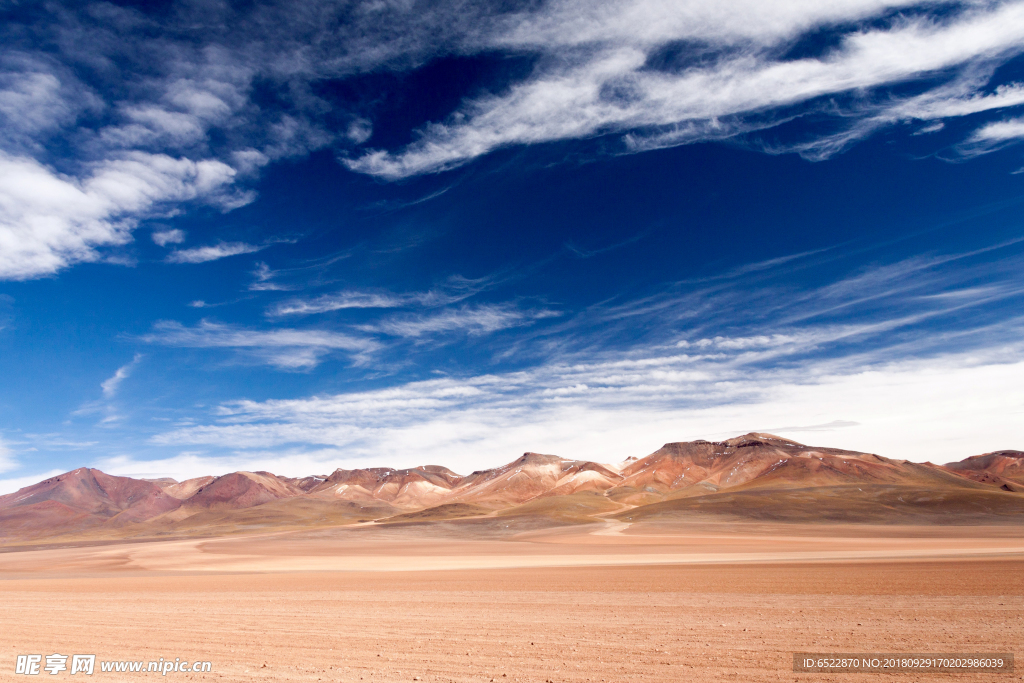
<point x="310" y="235"/>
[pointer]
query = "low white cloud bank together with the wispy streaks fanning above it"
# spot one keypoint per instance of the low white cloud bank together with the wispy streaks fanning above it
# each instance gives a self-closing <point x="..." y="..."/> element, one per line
<point x="875" y="377"/>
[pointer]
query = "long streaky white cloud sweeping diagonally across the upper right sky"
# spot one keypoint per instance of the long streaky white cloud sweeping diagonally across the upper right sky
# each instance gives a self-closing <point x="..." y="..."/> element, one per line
<point x="612" y="89"/>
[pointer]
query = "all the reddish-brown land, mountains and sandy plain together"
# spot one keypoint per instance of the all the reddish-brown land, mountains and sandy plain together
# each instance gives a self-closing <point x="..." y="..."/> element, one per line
<point x="705" y="580"/>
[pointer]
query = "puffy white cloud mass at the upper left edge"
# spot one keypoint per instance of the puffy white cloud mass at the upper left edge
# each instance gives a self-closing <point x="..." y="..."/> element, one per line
<point x="154" y="159"/>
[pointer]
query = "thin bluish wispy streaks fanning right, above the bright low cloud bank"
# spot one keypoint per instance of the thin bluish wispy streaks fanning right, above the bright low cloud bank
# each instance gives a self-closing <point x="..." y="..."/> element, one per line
<point x="762" y="302"/>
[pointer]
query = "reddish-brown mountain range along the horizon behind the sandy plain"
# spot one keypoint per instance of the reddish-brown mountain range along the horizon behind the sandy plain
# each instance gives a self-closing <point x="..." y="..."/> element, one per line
<point x="760" y="477"/>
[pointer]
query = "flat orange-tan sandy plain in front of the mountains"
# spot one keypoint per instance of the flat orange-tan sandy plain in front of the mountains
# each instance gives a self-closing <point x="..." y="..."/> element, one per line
<point x="451" y="603"/>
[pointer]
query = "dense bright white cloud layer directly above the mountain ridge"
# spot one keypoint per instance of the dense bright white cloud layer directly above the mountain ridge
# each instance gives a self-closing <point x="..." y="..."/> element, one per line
<point x="622" y="409"/>
